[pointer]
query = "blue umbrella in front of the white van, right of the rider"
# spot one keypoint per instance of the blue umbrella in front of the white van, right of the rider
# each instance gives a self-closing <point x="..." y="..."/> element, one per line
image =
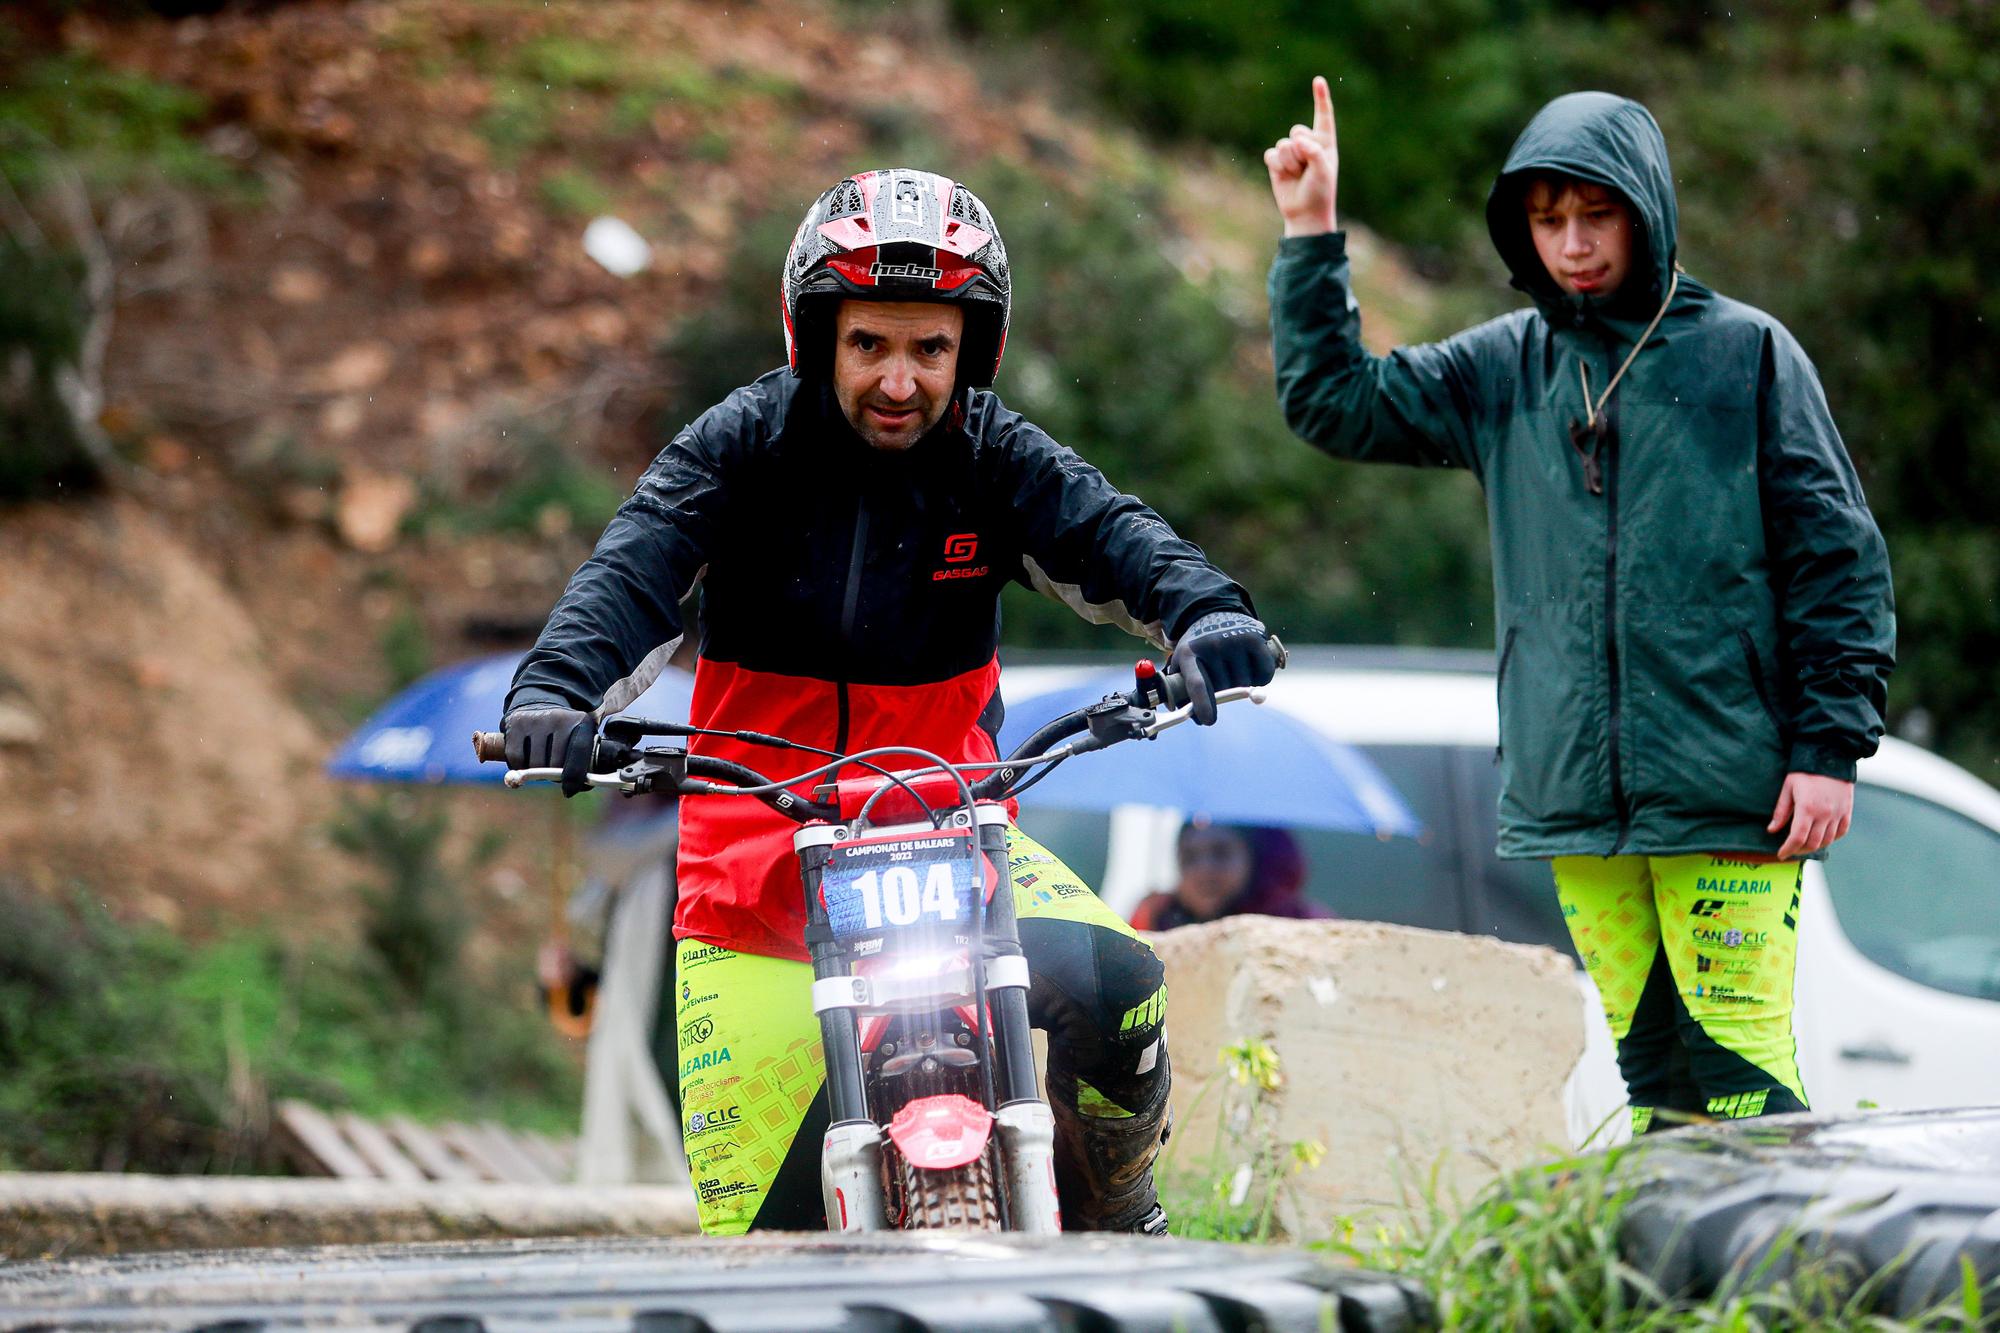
<point x="1257" y="766"/>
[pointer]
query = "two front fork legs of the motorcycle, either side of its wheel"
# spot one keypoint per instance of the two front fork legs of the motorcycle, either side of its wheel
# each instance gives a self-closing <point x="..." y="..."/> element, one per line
<point x="851" y="1162"/>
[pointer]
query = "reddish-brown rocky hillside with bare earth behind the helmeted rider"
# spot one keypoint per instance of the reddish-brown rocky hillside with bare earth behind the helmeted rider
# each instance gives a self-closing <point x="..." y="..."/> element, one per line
<point x="377" y="395"/>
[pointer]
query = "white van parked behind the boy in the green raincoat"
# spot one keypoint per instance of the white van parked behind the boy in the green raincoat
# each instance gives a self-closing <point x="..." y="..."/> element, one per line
<point x="1899" y="966"/>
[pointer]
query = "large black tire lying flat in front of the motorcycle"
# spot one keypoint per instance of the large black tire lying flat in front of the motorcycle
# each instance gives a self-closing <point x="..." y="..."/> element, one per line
<point x="765" y="1284"/>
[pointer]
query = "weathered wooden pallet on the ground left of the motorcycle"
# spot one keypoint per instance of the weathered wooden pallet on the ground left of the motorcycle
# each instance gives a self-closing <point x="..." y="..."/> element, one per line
<point x="399" y="1150"/>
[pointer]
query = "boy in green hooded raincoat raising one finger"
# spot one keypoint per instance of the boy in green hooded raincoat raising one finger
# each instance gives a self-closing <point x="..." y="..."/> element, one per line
<point x="1691" y="595"/>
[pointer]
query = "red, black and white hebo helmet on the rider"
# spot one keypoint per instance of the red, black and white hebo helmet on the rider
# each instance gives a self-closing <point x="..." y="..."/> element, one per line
<point x="899" y="235"/>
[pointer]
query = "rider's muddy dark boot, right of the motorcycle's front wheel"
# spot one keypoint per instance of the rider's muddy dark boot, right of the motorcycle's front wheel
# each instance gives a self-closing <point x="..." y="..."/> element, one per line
<point x="1107" y="1140"/>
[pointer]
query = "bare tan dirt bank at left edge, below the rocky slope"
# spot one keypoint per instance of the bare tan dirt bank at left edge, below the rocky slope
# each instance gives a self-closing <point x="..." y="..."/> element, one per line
<point x="159" y="760"/>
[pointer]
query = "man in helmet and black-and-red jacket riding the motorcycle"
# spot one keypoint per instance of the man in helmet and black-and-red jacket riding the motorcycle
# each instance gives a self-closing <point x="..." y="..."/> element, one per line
<point x="851" y="521"/>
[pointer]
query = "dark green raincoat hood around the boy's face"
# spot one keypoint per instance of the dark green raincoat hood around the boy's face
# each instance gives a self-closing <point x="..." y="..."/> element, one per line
<point x="1609" y="141"/>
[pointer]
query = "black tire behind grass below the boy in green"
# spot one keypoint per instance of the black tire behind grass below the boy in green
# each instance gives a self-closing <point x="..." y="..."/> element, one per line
<point x="1897" y="1200"/>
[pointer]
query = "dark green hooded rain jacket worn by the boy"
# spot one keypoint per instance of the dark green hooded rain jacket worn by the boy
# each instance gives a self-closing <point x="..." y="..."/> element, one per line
<point x="1717" y="611"/>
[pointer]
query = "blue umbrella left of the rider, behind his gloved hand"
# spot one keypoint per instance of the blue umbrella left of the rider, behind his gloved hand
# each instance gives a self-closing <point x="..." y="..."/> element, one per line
<point x="425" y="734"/>
